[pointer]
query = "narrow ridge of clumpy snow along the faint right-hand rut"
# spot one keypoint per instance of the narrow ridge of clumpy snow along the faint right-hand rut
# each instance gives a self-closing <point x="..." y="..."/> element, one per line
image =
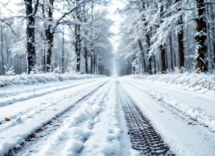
<point x="195" y="113"/>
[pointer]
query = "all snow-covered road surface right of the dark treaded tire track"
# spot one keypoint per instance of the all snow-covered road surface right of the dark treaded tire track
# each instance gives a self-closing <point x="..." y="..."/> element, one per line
<point x="168" y="109"/>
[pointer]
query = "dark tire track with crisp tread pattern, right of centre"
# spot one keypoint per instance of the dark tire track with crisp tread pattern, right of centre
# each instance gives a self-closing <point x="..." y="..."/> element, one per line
<point x="143" y="136"/>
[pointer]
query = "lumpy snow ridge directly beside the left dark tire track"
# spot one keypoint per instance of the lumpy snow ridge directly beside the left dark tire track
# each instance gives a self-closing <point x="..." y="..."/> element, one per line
<point x="77" y="129"/>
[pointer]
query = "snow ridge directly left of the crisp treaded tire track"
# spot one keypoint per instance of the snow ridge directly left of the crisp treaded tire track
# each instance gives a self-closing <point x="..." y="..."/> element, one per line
<point x="105" y="138"/>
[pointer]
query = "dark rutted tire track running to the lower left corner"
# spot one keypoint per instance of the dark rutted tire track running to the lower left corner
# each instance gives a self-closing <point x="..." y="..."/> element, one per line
<point x="47" y="130"/>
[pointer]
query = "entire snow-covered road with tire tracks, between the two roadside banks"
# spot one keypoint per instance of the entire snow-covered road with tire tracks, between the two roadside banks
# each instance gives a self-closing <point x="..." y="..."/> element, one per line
<point x="106" y="116"/>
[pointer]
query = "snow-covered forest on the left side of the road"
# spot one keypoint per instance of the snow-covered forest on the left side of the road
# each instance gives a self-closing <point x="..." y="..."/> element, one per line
<point x="39" y="36"/>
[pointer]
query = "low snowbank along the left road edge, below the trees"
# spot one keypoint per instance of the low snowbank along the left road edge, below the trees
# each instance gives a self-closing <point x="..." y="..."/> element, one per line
<point x="25" y="79"/>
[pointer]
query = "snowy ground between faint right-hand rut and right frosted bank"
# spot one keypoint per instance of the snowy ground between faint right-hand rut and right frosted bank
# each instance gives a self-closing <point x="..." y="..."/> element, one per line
<point x="197" y="104"/>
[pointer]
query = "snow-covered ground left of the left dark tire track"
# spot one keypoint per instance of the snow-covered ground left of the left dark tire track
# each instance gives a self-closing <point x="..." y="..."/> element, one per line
<point x="38" y="107"/>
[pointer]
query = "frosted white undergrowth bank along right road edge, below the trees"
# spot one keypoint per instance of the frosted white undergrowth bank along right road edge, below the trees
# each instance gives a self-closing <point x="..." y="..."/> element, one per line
<point x="189" y="80"/>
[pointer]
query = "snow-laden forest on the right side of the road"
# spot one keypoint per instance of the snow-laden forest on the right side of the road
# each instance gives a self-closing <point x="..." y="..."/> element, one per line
<point x="167" y="36"/>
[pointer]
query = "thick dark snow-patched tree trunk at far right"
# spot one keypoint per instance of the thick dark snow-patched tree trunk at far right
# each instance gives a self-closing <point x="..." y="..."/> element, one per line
<point x="201" y="37"/>
